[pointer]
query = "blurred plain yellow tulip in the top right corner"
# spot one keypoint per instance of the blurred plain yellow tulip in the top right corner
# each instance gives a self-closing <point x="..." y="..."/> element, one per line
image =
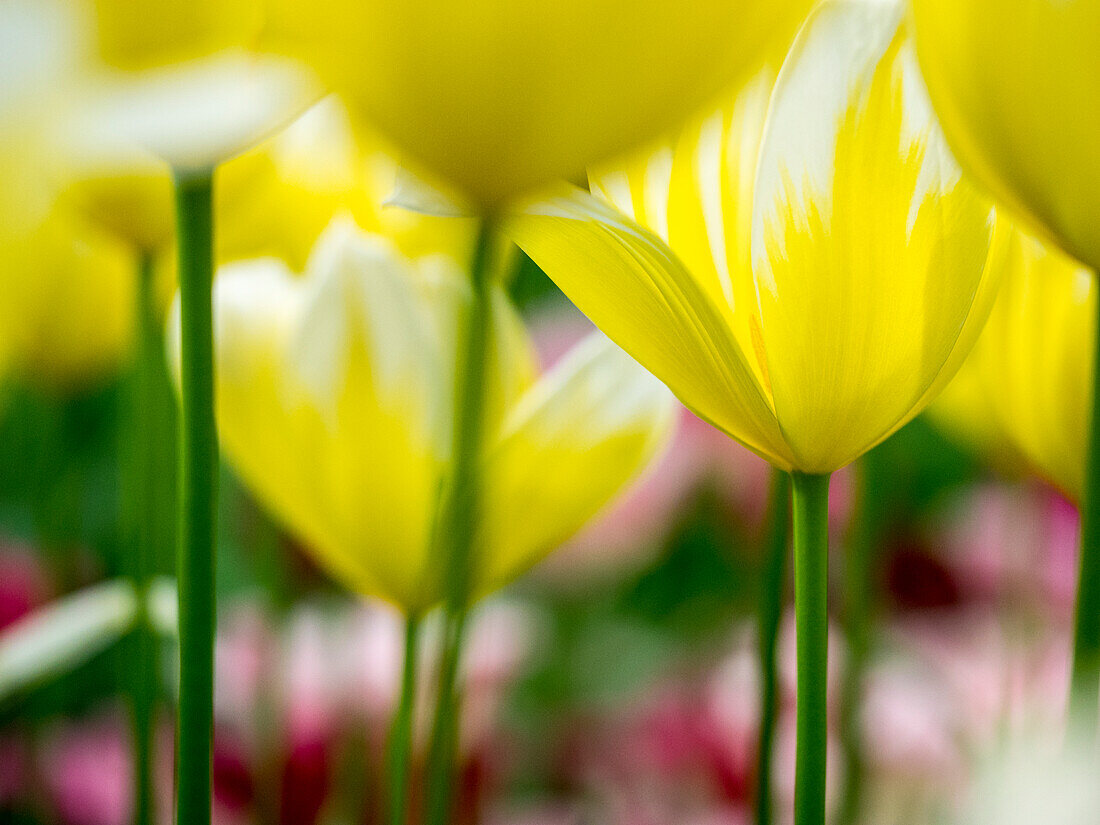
<point x="1016" y="85"/>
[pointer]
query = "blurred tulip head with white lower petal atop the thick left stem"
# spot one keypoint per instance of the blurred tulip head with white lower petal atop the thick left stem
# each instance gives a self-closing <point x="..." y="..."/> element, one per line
<point x="184" y="81"/>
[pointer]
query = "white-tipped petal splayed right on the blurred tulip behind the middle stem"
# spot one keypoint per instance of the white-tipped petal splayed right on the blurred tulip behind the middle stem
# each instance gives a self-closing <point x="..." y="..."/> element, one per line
<point x="569" y="446"/>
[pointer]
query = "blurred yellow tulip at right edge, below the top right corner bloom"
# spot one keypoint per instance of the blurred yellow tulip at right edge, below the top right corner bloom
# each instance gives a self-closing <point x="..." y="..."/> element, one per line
<point x="1036" y="359"/>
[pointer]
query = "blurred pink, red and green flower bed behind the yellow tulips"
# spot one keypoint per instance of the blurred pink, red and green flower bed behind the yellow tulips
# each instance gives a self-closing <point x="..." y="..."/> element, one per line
<point x="617" y="684"/>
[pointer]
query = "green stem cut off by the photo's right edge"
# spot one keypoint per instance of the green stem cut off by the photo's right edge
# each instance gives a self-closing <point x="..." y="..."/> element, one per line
<point x="1085" y="685"/>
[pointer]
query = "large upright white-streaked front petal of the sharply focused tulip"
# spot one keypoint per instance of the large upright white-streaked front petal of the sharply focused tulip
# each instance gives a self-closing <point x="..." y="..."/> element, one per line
<point x="868" y="247"/>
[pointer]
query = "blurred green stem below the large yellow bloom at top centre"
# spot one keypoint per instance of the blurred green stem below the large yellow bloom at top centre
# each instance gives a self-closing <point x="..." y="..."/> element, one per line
<point x="459" y="519"/>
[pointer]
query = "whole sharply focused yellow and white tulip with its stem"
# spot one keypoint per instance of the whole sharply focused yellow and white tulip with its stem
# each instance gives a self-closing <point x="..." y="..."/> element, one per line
<point x="805" y="270"/>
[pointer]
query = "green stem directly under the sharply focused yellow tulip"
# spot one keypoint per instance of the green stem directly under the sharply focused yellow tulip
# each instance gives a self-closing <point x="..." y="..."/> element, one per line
<point x="810" y="509"/>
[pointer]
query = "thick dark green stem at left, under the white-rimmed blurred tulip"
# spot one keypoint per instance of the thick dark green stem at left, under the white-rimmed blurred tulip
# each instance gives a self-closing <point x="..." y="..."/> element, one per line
<point x="199" y="459"/>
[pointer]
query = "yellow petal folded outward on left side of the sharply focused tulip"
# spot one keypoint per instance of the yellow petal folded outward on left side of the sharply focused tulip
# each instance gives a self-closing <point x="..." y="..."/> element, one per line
<point x="628" y="281"/>
